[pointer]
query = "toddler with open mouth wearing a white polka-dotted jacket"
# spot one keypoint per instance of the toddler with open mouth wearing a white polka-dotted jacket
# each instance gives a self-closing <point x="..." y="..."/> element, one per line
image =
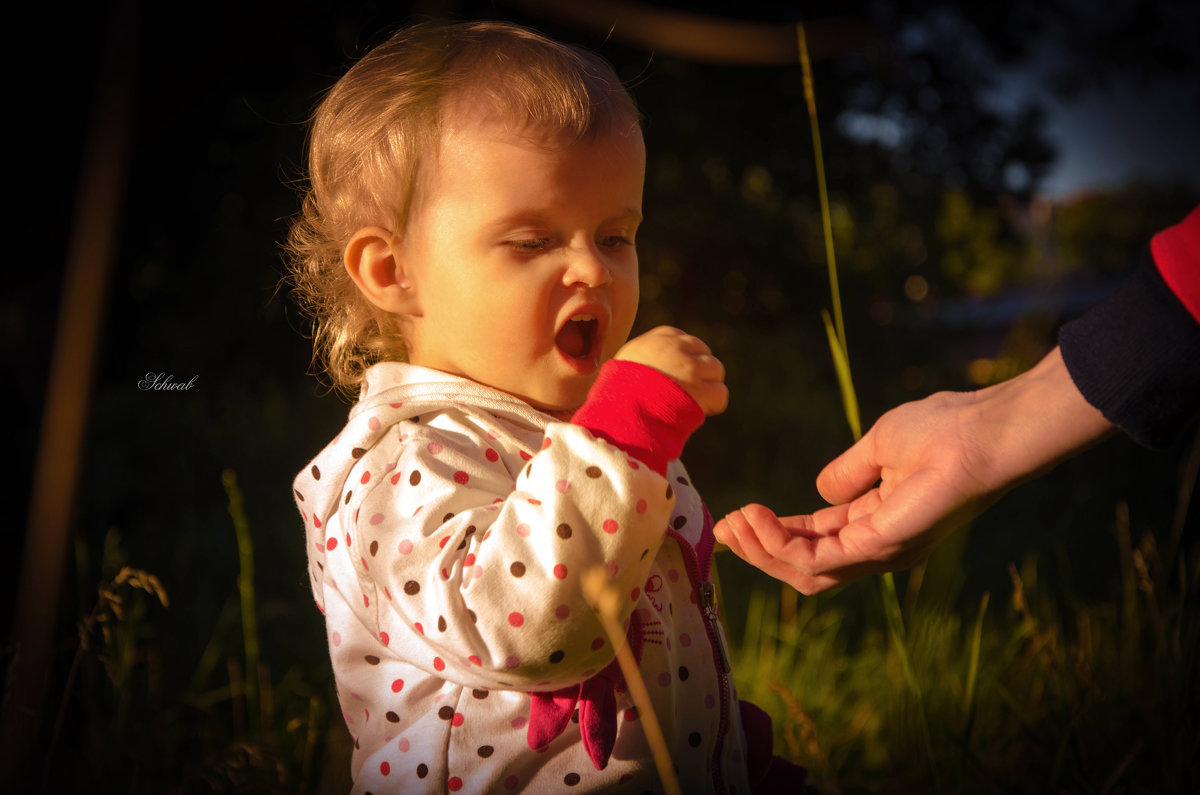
<point x="467" y="252"/>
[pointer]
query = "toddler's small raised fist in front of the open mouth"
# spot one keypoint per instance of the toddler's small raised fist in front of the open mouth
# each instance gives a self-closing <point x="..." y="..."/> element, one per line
<point x="685" y="358"/>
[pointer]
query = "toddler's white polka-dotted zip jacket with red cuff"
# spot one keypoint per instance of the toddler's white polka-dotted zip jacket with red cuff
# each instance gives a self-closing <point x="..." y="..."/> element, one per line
<point x="448" y="528"/>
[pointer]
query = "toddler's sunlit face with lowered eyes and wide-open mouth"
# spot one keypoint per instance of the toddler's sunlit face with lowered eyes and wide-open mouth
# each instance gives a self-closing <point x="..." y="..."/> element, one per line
<point x="523" y="260"/>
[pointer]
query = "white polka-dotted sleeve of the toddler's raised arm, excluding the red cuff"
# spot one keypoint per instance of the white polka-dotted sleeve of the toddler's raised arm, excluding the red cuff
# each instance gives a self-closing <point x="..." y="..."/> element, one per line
<point x="467" y="546"/>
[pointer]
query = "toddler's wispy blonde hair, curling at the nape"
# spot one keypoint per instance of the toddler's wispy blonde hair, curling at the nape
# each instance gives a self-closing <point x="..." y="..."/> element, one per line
<point x="382" y="122"/>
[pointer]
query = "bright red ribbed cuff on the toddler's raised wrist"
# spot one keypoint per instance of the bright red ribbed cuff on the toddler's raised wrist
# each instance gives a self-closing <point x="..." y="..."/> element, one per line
<point x="643" y="411"/>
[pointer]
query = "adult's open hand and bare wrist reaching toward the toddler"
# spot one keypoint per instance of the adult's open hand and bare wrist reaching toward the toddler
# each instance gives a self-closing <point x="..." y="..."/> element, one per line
<point x="923" y="470"/>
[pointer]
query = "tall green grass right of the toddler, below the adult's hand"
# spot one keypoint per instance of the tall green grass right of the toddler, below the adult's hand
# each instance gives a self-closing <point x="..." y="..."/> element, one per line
<point x="1025" y="696"/>
